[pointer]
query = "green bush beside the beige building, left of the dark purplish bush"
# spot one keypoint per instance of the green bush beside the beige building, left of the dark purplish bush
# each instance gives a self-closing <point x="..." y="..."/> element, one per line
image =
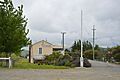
<point x="58" y="59"/>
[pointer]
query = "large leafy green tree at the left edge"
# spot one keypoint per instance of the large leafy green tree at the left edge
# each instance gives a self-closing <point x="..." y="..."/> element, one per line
<point x="12" y="28"/>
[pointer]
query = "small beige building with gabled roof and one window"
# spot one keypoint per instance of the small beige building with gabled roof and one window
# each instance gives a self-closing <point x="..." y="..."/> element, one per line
<point x="41" y="48"/>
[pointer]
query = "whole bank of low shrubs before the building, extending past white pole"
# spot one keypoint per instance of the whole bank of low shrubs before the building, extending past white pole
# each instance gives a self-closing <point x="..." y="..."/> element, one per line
<point x="68" y="60"/>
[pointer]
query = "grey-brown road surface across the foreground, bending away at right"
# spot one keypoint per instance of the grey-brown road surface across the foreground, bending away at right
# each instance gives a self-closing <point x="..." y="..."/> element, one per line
<point x="98" y="71"/>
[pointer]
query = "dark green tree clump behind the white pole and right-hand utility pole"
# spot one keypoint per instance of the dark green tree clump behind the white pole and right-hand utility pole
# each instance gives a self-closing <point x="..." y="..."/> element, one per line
<point x="87" y="50"/>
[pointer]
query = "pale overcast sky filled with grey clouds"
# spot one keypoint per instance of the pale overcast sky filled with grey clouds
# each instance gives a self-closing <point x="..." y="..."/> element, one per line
<point x="48" y="18"/>
